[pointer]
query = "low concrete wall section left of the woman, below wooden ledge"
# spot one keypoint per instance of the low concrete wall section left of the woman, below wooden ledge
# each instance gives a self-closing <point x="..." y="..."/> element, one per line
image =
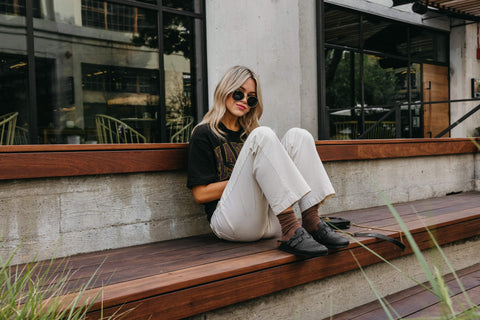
<point x="65" y="216"/>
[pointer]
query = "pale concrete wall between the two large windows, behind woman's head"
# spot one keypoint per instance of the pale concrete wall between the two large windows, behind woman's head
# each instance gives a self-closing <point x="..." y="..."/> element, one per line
<point x="277" y="40"/>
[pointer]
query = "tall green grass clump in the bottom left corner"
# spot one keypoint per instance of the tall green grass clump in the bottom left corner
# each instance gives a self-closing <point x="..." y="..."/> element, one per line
<point x="34" y="291"/>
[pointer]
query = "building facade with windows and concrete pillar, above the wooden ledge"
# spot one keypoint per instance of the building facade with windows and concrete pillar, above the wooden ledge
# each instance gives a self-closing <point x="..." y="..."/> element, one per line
<point x="340" y="69"/>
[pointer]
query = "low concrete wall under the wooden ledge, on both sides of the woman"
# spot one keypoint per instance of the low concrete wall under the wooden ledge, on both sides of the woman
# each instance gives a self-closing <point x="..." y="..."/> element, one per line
<point x="64" y="216"/>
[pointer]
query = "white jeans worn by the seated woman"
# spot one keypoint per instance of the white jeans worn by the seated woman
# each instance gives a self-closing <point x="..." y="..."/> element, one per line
<point x="270" y="176"/>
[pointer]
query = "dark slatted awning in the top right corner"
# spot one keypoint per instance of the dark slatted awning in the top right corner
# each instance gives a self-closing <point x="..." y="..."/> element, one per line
<point x="461" y="9"/>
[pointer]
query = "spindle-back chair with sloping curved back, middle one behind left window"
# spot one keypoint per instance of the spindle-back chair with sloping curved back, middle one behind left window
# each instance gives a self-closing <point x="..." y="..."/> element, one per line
<point x="111" y="130"/>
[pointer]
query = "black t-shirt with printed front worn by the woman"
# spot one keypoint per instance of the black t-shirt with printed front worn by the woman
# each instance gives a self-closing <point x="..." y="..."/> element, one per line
<point x="211" y="159"/>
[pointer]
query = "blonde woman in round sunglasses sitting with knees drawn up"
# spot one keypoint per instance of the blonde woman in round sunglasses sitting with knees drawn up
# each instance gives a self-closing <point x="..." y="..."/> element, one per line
<point x="248" y="180"/>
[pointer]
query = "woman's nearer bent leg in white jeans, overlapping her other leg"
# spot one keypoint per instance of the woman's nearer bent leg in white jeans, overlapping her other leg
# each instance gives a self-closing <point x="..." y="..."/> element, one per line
<point x="264" y="183"/>
